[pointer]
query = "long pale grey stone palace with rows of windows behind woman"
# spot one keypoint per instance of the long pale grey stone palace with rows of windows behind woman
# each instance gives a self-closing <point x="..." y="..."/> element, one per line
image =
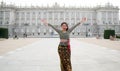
<point x="27" y="20"/>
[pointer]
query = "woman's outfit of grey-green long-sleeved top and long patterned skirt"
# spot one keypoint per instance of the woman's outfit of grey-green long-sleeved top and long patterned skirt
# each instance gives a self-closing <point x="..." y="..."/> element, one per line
<point x="64" y="48"/>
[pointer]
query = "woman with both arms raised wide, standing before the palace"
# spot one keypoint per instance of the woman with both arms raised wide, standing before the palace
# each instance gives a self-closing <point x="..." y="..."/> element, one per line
<point x="64" y="45"/>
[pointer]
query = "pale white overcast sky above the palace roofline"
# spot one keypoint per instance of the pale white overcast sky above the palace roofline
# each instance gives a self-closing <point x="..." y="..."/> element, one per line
<point x="77" y="3"/>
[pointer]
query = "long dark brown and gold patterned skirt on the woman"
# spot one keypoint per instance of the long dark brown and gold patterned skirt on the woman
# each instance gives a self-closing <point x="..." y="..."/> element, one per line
<point x="65" y="58"/>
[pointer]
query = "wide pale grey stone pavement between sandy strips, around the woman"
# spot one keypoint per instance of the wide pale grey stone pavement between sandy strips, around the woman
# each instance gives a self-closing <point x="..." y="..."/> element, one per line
<point x="42" y="56"/>
